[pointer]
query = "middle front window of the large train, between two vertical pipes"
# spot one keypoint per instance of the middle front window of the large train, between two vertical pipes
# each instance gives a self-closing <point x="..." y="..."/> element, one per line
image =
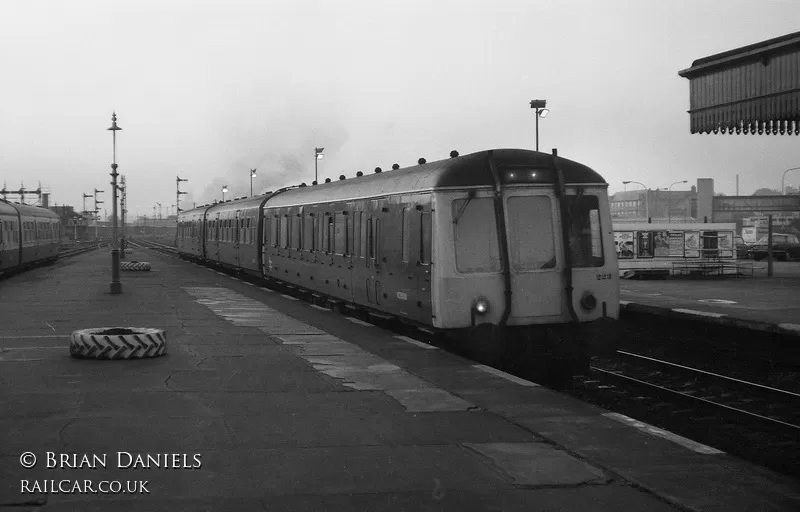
<point x="530" y="220"/>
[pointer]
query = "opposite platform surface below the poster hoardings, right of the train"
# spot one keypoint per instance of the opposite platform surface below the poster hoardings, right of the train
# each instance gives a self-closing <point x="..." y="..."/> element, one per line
<point x="756" y="302"/>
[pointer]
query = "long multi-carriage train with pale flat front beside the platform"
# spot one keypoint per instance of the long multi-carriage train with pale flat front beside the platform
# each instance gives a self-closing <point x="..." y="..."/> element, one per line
<point x="506" y="248"/>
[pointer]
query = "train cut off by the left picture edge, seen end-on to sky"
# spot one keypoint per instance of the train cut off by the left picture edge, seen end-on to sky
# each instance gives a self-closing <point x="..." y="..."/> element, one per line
<point x="29" y="236"/>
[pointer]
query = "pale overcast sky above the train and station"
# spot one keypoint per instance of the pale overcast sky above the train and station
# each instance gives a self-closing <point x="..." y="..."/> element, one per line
<point x="210" y="89"/>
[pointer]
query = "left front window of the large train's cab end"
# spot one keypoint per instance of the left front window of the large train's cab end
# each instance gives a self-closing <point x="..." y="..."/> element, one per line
<point x="475" y="235"/>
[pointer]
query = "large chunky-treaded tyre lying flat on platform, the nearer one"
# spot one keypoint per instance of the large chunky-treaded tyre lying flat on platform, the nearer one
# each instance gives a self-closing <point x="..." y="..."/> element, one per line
<point x="118" y="343"/>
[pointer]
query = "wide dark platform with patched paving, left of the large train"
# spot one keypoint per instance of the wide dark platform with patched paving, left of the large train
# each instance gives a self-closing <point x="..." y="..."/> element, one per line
<point x="290" y="407"/>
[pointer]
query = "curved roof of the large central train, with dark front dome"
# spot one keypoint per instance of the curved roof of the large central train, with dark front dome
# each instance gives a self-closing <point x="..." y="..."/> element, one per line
<point x="463" y="171"/>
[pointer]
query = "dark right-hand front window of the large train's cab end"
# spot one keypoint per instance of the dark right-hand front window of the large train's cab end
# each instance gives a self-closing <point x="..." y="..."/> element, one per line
<point x="585" y="240"/>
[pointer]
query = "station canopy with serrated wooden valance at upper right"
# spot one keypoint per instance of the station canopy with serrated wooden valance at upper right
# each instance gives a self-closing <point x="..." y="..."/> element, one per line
<point x="753" y="89"/>
